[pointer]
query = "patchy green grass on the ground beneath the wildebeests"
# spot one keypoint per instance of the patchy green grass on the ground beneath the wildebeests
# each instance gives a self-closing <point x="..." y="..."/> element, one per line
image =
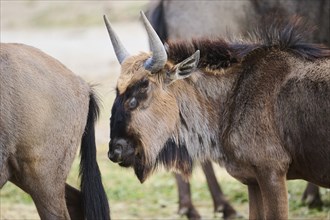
<point x="157" y="197"/>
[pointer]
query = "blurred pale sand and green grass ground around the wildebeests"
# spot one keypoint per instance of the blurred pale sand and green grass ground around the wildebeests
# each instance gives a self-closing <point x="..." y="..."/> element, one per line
<point x="74" y="33"/>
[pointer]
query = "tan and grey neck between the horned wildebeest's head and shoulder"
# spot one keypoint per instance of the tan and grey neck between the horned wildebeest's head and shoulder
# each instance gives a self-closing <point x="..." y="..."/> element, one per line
<point x="201" y="101"/>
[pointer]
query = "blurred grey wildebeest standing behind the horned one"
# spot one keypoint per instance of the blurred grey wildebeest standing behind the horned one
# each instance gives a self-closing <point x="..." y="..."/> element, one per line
<point x="179" y="20"/>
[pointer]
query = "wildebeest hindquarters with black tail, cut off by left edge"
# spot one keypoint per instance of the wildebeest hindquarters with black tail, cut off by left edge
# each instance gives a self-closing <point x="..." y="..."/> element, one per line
<point x="46" y="112"/>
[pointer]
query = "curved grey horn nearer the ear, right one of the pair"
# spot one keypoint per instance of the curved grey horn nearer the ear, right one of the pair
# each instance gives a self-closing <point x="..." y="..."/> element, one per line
<point x="159" y="56"/>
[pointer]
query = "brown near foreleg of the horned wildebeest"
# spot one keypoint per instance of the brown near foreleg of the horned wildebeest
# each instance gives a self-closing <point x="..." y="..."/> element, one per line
<point x="274" y="194"/>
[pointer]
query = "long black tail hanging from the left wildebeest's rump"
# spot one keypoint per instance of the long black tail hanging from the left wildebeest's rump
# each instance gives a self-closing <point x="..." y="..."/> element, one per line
<point x="95" y="200"/>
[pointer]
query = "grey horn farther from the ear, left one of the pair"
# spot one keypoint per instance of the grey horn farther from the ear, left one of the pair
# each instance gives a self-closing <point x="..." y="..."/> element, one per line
<point x="120" y="50"/>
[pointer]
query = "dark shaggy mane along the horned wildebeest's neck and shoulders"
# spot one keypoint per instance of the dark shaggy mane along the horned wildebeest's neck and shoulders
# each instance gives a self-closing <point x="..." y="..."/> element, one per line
<point x="286" y="35"/>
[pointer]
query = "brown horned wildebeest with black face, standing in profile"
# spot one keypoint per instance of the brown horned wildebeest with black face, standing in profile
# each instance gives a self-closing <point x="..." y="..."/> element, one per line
<point x="260" y="107"/>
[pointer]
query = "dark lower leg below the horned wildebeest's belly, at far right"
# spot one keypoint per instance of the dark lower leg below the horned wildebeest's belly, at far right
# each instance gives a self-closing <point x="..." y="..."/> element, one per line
<point x="311" y="196"/>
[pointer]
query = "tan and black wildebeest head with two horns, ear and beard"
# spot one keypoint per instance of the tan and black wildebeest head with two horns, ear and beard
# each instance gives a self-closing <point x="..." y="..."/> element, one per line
<point x="146" y="118"/>
